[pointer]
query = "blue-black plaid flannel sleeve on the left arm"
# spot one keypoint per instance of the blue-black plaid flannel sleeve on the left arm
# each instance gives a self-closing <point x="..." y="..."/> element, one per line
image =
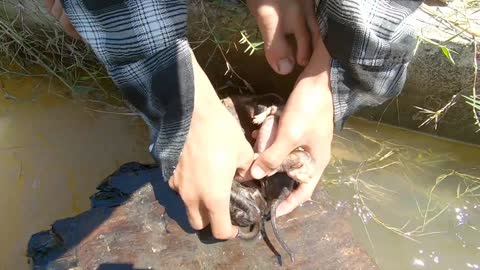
<point x="143" y="45"/>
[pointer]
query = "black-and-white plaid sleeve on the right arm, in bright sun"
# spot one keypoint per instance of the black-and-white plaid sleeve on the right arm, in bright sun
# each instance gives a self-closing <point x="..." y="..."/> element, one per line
<point x="371" y="43"/>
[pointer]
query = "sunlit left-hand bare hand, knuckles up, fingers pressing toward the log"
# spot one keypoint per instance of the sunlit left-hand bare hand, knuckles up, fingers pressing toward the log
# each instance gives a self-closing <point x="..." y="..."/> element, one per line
<point x="215" y="152"/>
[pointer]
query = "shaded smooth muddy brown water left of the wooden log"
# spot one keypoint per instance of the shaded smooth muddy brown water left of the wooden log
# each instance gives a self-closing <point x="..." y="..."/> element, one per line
<point x="53" y="153"/>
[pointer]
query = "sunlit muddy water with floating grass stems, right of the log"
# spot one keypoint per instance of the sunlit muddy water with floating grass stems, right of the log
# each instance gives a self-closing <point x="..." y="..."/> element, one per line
<point x="417" y="198"/>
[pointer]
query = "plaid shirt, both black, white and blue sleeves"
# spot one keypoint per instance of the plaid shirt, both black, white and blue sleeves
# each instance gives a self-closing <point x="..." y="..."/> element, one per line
<point x="144" y="47"/>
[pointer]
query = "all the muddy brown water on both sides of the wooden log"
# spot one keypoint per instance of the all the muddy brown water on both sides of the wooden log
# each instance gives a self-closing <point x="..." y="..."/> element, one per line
<point x="53" y="153"/>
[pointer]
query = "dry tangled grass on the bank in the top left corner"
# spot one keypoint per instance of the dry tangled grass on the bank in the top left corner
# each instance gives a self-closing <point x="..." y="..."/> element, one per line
<point x="59" y="56"/>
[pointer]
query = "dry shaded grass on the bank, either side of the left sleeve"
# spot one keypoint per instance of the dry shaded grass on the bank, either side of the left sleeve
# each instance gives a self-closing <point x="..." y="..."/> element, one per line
<point x="28" y="51"/>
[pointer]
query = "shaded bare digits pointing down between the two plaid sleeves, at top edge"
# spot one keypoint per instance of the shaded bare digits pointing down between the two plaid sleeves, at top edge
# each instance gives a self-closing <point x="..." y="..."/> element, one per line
<point x="278" y="18"/>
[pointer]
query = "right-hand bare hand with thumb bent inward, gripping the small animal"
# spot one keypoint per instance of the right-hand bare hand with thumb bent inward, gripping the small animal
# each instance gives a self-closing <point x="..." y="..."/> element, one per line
<point x="307" y="122"/>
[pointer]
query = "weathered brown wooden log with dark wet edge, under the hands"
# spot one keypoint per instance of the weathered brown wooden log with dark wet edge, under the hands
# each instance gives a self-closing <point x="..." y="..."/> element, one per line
<point x="137" y="222"/>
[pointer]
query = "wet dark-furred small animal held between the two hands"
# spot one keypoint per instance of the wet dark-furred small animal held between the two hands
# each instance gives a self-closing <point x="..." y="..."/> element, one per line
<point x="251" y="204"/>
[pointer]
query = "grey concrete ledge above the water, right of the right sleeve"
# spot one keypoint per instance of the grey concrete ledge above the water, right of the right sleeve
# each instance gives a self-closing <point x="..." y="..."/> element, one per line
<point x="433" y="80"/>
